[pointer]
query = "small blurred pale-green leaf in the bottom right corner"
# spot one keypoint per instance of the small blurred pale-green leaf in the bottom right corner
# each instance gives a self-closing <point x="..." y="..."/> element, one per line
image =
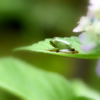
<point x="81" y="90"/>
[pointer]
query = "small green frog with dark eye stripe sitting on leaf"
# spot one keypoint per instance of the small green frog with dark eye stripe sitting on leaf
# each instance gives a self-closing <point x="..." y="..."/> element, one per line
<point x="62" y="46"/>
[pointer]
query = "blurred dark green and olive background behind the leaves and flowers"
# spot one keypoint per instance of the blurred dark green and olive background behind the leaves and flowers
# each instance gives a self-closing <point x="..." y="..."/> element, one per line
<point x="24" y="22"/>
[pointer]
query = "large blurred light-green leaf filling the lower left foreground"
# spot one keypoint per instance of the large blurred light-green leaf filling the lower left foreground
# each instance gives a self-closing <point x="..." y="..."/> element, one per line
<point x="30" y="83"/>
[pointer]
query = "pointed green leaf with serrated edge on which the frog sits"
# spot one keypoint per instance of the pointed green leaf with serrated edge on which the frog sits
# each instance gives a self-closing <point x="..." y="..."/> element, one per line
<point x="45" y="47"/>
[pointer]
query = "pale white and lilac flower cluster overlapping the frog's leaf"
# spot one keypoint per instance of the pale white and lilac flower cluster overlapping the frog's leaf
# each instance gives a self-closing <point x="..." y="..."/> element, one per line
<point x="89" y="25"/>
